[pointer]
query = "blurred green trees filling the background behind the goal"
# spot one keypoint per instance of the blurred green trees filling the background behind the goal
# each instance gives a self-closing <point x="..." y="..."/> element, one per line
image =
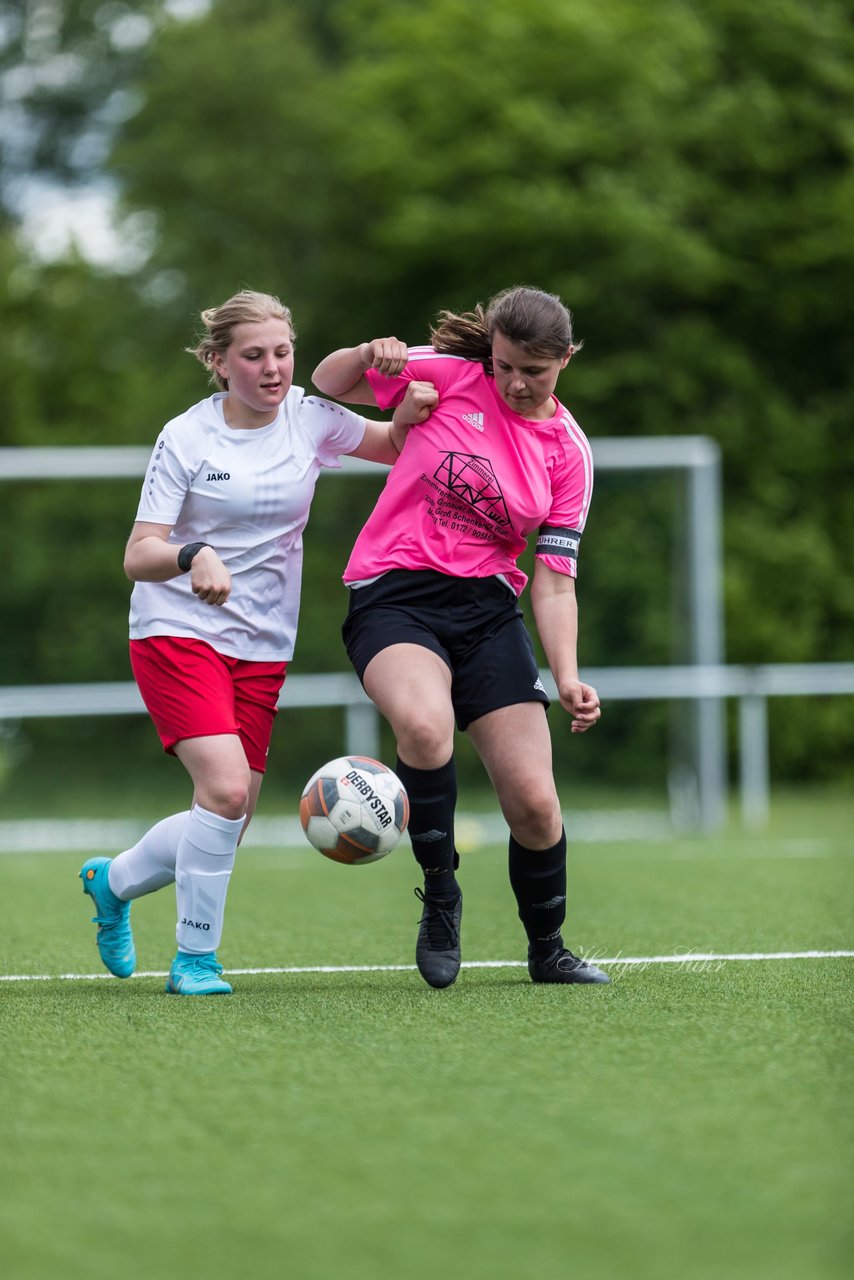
<point x="681" y="175"/>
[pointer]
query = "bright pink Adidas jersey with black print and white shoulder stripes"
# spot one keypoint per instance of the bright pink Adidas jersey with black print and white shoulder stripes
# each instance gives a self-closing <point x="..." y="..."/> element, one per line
<point x="474" y="481"/>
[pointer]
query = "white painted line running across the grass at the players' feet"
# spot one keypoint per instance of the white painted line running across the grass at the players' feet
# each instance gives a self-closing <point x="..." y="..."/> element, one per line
<point x="688" y="959"/>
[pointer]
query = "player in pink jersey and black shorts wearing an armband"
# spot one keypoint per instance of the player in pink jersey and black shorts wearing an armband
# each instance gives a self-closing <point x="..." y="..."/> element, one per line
<point x="435" y="629"/>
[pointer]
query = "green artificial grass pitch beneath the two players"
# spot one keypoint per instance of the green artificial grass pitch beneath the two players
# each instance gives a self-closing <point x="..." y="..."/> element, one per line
<point x="692" y="1121"/>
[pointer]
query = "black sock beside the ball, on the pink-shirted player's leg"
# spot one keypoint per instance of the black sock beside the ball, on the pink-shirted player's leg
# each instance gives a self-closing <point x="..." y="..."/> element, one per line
<point x="433" y="799"/>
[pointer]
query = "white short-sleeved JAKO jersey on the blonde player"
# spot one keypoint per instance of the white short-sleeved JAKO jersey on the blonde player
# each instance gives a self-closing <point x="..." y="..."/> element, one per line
<point x="248" y="493"/>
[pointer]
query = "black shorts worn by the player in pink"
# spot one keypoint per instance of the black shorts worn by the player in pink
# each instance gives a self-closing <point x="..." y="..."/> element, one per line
<point x="473" y="624"/>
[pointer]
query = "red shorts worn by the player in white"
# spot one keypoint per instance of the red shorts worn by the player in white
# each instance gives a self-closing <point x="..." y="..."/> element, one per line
<point x="190" y="691"/>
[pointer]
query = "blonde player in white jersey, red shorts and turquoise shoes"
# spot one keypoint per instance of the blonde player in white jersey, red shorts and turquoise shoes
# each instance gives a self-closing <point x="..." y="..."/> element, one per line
<point x="217" y="555"/>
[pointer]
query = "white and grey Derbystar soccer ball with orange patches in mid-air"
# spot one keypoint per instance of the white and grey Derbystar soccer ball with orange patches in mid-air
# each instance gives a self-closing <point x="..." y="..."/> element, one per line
<point x="354" y="810"/>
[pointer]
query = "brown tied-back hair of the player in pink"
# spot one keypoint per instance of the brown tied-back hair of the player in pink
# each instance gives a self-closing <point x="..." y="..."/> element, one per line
<point x="538" y="322"/>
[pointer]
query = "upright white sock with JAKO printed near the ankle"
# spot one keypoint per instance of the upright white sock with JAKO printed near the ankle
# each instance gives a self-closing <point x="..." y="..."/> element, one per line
<point x="203" y="871"/>
